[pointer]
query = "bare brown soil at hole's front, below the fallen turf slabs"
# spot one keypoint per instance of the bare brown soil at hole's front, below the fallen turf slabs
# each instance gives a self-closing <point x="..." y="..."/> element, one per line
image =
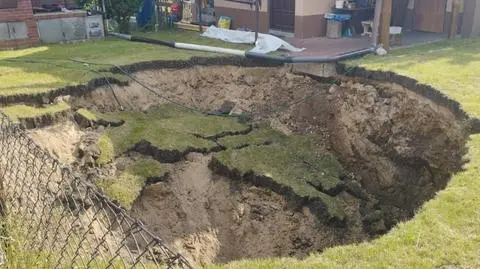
<point x="214" y="219"/>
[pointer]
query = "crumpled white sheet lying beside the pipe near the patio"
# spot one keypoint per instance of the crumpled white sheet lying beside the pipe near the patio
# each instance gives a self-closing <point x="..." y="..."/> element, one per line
<point x="265" y="43"/>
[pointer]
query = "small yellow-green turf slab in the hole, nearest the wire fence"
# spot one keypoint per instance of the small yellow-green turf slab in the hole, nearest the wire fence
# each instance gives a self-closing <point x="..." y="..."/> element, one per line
<point x="127" y="186"/>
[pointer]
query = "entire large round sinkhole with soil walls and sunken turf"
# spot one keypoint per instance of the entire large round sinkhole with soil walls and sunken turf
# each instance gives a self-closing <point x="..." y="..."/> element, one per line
<point x="306" y="165"/>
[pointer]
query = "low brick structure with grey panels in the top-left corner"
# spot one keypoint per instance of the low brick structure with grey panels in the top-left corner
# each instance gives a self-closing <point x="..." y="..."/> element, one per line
<point x="28" y="22"/>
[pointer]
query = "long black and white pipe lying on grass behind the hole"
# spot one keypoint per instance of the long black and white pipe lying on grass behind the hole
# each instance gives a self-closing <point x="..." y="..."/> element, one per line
<point x="247" y="54"/>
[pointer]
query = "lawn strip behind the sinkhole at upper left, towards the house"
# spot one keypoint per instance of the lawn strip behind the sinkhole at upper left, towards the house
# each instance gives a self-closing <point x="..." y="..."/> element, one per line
<point x="56" y="69"/>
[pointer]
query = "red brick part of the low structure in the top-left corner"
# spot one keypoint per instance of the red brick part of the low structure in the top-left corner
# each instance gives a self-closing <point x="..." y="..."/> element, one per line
<point x="23" y="13"/>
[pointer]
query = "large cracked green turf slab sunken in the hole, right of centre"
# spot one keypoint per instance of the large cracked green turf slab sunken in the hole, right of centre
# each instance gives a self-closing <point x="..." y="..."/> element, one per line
<point x="291" y="161"/>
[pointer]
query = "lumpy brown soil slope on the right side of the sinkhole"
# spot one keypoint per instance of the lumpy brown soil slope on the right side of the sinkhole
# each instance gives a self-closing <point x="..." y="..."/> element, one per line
<point x="401" y="148"/>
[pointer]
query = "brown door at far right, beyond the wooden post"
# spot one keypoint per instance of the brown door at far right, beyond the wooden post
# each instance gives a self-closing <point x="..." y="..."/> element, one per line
<point x="430" y="15"/>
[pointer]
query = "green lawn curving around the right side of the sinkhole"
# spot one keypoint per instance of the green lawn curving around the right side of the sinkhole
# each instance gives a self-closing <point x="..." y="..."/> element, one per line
<point x="446" y="230"/>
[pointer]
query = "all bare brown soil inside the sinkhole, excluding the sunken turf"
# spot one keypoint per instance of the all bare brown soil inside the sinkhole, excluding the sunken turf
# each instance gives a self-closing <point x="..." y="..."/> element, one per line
<point x="399" y="147"/>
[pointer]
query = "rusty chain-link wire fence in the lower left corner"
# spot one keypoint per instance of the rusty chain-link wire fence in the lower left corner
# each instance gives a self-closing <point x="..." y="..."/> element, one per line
<point x="58" y="220"/>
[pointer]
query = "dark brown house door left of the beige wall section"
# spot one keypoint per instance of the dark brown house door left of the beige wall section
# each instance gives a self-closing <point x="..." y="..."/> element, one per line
<point x="282" y="15"/>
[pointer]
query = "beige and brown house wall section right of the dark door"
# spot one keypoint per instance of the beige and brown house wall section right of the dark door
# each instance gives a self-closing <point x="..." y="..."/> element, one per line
<point x="309" y="17"/>
